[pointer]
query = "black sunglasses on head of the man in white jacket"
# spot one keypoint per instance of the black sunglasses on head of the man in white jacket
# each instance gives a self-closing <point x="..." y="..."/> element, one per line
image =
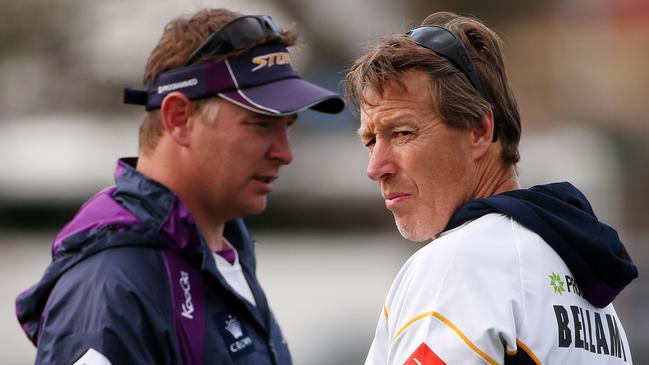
<point x="443" y="42"/>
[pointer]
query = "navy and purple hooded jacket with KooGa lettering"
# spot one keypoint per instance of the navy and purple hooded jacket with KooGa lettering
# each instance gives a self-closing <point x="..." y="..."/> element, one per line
<point x="132" y="278"/>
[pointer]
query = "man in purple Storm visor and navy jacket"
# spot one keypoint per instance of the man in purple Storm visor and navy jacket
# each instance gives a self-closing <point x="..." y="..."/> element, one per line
<point x="160" y="268"/>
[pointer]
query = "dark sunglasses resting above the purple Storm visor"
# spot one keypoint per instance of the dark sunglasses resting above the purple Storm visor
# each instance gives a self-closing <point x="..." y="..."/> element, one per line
<point x="235" y="35"/>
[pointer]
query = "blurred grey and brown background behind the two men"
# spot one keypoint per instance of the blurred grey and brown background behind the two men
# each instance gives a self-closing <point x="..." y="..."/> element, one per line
<point x="328" y="248"/>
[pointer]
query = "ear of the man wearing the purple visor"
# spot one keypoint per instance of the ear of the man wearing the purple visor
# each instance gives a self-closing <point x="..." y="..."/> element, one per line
<point x="175" y="110"/>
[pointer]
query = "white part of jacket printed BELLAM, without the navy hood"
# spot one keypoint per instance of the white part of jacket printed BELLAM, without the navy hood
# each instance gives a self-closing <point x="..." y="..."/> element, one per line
<point x="493" y="292"/>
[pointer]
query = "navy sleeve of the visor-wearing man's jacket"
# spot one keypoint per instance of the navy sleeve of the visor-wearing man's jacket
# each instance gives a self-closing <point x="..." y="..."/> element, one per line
<point x="109" y="309"/>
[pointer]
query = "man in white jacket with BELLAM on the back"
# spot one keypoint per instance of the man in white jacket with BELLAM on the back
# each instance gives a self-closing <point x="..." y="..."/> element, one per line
<point x="511" y="276"/>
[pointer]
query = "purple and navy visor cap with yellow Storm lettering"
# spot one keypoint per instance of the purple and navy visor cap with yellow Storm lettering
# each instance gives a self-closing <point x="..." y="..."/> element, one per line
<point x="262" y="80"/>
